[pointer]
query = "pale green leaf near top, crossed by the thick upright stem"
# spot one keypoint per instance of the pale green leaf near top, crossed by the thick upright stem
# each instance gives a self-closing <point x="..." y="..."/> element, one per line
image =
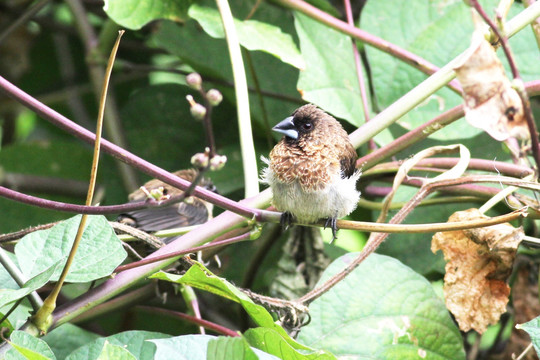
<point x="252" y="34"/>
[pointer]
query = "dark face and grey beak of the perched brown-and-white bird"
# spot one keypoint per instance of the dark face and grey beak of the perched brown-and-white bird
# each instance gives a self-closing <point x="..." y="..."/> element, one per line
<point x="303" y="121"/>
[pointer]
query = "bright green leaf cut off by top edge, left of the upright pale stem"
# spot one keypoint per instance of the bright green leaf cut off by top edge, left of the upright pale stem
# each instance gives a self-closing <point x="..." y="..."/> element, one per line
<point x="134" y="14"/>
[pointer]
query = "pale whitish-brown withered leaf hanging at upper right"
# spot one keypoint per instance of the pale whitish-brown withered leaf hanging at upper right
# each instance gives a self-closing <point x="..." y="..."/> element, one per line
<point x="491" y="103"/>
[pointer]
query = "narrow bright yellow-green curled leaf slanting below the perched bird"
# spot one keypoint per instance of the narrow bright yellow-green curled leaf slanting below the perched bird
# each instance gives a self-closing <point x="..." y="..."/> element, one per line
<point x="199" y="277"/>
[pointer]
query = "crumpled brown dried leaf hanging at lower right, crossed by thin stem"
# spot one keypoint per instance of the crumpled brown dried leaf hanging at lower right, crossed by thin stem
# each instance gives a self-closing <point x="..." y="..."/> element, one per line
<point x="478" y="264"/>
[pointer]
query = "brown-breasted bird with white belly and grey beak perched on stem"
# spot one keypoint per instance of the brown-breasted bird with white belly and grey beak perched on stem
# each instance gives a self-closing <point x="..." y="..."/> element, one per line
<point x="311" y="170"/>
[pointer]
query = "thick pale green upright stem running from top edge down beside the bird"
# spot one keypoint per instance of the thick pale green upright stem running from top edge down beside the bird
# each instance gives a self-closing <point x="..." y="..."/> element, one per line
<point x="251" y="177"/>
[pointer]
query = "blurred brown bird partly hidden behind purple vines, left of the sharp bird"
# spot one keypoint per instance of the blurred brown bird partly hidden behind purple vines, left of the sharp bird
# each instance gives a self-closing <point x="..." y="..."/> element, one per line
<point x="192" y="211"/>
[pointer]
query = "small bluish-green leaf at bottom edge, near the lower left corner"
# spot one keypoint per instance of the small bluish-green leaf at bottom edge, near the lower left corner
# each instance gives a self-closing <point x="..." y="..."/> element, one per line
<point x="67" y="338"/>
